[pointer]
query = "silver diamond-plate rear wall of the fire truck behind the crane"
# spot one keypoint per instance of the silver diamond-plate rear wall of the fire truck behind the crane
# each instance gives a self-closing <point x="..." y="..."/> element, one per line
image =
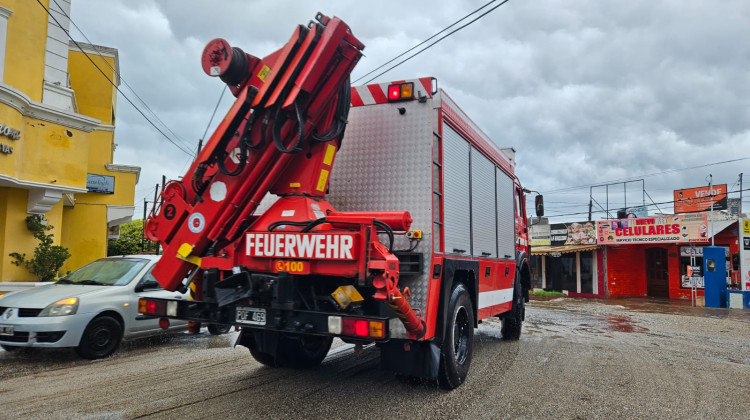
<point x="385" y="164"/>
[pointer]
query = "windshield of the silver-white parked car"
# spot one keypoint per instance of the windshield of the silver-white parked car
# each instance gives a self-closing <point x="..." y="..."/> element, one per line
<point x="113" y="272"/>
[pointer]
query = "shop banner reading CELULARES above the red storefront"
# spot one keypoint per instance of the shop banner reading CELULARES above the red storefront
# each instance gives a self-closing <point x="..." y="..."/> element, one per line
<point x="679" y="228"/>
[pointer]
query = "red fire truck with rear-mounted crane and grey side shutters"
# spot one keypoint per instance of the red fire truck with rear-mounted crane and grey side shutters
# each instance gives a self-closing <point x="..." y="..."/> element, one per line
<point x="416" y="235"/>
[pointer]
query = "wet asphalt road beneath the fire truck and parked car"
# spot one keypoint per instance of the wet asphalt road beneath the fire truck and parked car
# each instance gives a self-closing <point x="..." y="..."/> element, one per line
<point x="576" y="359"/>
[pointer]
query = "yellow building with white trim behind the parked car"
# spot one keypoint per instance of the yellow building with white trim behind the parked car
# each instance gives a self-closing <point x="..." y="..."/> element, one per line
<point x="57" y="120"/>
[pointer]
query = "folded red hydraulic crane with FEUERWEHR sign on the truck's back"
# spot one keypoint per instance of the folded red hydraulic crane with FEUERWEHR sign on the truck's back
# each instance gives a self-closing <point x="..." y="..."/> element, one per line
<point x="280" y="136"/>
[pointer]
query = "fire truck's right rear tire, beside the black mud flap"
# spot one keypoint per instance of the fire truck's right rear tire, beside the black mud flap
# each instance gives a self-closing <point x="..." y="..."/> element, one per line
<point x="458" y="344"/>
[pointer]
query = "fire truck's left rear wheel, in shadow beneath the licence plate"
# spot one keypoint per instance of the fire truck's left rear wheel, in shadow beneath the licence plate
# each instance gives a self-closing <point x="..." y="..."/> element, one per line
<point x="291" y="351"/>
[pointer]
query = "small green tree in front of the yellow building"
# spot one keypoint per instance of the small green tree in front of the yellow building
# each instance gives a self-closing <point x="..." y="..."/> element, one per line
<point x="48" y="258"/>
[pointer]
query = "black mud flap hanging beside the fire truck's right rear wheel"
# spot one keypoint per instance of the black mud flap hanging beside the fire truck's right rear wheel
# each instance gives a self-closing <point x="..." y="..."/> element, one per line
<point x="412" y="358"/>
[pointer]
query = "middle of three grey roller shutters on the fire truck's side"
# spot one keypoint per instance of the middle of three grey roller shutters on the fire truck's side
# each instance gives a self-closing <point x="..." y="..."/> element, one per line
<point x="483" y="213"/>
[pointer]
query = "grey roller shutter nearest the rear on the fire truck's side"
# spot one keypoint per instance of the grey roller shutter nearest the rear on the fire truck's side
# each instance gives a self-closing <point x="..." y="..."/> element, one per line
<point x="456" y="193"/>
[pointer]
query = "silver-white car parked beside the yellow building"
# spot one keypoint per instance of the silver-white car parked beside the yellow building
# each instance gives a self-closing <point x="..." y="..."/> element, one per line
<point x="91" y="309"/>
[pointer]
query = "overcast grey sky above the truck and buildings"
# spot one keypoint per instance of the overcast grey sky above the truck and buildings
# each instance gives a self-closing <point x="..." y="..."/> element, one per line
<point x="587" y="91"/>
